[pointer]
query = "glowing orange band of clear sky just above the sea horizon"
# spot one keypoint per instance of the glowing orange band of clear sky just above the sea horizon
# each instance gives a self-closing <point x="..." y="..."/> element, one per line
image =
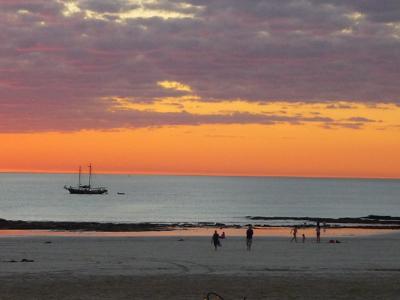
<point x="277" y="150"/>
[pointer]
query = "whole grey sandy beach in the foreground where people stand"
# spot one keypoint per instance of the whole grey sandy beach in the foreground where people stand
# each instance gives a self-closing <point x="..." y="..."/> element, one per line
<point x="185" y="266"/>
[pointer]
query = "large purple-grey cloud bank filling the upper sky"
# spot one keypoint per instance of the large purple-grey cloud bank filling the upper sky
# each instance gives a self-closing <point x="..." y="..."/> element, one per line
<point x="68" y="57"/>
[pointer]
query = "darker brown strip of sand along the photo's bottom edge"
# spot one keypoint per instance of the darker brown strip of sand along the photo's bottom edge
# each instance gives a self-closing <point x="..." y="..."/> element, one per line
<point x="195" y="287"/>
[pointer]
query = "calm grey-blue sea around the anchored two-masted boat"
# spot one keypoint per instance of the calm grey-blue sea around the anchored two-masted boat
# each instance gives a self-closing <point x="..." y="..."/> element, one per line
<point x="193" y="198"/>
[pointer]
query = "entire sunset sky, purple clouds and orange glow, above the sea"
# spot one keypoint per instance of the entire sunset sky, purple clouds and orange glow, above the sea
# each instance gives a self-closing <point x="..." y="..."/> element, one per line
<point x="214" y="87"/>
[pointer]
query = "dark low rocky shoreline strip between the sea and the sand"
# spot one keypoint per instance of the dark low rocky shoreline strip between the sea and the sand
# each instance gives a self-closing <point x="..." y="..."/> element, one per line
<point x="369" y="222"/>
